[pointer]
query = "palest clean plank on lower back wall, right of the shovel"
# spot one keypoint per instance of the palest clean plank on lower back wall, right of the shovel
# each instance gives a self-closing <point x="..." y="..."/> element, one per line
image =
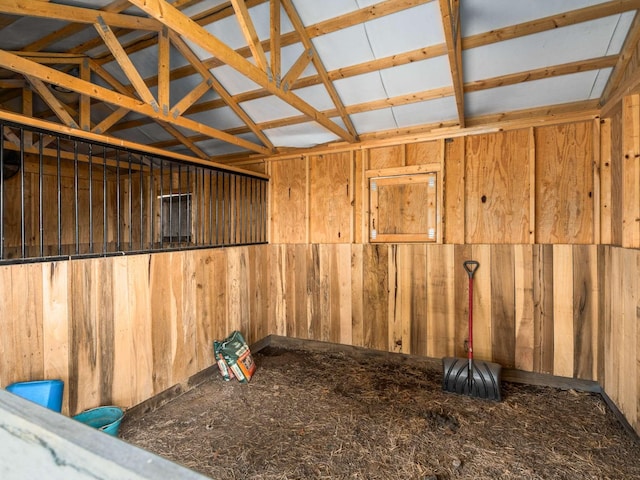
<point x="563" y="320"/>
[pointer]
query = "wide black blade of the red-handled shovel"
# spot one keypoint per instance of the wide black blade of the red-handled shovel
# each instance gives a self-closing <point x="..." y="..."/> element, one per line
<point x="483" y="383"/>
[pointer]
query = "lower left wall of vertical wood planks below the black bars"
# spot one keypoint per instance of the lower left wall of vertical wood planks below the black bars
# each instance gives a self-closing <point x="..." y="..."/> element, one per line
<point x="119" y="330"/>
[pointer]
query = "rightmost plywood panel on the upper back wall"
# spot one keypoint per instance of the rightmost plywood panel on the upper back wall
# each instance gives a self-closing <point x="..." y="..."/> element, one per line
<point x="564" y="183"/>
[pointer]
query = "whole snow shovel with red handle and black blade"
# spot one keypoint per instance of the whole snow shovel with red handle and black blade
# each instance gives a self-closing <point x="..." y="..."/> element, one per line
<point x="463" y="375"/>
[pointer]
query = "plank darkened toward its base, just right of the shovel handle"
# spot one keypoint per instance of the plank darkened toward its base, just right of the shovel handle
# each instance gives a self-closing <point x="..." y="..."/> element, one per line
<point x="503" y="328"/>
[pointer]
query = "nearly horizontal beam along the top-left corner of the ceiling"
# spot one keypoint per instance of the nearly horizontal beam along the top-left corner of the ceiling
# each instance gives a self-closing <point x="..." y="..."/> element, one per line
<point x="55" y="11"/>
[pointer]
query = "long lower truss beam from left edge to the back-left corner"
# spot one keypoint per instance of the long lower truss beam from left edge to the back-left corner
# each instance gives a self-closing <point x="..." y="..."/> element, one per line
<point x="49" y="75"/>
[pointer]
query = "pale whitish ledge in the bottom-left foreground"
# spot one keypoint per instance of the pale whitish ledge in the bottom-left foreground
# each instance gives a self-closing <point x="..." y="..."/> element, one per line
<point x="38" y="443"/>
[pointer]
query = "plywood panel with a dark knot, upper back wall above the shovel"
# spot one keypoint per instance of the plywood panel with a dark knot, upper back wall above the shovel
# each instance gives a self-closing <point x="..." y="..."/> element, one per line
<point x="497" y="187"/>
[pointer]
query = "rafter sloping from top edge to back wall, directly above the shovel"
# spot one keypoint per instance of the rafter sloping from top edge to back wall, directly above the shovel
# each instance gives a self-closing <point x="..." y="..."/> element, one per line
<point x="450" y="11"/>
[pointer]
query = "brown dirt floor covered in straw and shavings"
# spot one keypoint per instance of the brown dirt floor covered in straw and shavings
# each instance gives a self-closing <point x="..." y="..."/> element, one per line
<point x="336" y="415"/>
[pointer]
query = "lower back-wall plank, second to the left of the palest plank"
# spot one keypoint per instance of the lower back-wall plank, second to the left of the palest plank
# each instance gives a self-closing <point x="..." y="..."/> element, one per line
<point x="524" y="317"/>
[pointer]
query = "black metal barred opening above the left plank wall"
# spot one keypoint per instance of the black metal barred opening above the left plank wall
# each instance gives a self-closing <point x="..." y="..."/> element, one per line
<point x="67" y="197"/>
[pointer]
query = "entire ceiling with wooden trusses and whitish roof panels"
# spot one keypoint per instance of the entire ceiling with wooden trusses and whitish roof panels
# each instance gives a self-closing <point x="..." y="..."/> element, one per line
<point x="153" y="71"/>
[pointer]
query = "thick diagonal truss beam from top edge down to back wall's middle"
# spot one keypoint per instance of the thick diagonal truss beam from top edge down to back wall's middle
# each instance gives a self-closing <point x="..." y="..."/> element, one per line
<point x="190" y="30"/>
